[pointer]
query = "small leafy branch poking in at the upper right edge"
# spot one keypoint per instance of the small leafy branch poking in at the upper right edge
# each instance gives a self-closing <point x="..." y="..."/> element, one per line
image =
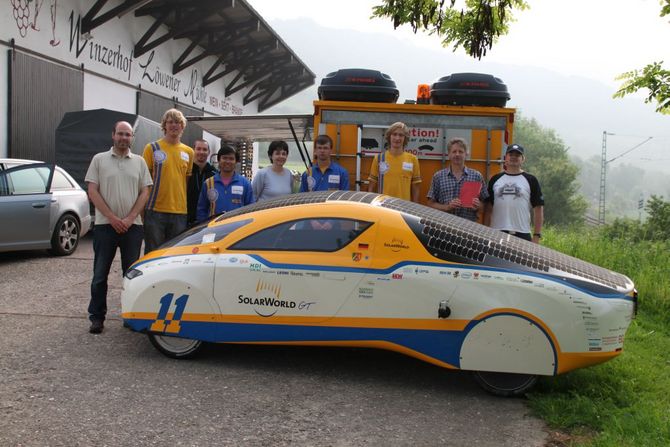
<point x="654" y="79"/>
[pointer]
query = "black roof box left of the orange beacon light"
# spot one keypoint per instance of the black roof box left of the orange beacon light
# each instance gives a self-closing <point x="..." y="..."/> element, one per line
<point x="358" y="84"/>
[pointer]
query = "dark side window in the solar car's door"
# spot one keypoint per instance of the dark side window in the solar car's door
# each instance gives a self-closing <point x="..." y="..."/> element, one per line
<point x="326" y="235"/>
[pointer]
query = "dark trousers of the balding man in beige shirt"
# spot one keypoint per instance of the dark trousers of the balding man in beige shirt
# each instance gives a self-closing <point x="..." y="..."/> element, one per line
<point x="105" y="242"/>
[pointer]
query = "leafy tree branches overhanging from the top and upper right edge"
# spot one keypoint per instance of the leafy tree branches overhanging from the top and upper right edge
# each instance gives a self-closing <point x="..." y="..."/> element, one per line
<point x="477" y="26"/>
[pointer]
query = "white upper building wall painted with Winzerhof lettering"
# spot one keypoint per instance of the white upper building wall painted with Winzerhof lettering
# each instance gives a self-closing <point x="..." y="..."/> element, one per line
<point x="108" y="50"/>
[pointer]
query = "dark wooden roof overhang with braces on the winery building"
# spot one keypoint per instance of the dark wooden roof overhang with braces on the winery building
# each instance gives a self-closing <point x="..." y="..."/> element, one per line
<point x="230" y="31"/>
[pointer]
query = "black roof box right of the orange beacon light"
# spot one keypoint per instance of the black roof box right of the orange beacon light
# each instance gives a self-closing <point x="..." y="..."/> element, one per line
<point x="469" y="89"/>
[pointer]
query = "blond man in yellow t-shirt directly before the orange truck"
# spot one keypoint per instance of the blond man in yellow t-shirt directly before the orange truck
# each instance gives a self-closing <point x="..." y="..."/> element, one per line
<point x="395" y="172"/>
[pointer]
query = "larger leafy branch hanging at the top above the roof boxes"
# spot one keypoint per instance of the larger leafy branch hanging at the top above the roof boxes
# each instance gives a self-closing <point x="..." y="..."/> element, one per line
<point x="476" y="27"/>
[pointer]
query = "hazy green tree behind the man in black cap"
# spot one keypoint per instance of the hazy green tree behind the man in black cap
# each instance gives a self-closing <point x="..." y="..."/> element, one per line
<point x="547" y="159"/>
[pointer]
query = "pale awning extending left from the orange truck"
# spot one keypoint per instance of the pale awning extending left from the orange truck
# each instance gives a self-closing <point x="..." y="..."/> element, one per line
<point x="257" y="127"/>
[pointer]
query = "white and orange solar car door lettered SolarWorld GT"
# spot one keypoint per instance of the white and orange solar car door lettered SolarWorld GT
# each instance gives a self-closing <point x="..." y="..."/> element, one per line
<point x="300" y="271"/>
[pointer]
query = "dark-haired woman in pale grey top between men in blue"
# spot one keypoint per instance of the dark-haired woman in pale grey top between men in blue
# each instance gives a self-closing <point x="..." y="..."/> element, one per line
<point x="274" y="180"/>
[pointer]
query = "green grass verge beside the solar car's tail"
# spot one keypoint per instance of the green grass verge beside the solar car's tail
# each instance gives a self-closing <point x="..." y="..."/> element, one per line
<point x="624" y="402"/>
